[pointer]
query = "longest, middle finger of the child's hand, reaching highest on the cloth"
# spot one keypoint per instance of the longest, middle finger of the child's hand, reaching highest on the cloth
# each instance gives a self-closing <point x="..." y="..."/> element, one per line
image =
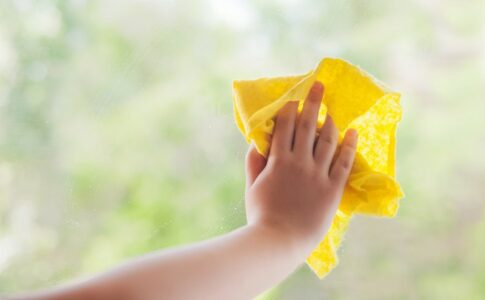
<point x="307" y="123"/>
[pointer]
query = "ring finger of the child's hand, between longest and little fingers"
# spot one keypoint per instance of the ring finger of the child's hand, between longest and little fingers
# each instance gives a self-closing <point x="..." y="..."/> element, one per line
<point x="326" y="145"/>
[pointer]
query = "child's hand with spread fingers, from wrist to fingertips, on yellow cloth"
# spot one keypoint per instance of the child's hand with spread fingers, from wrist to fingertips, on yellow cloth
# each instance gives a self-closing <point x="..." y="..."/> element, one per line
<point x="297" y="191"/>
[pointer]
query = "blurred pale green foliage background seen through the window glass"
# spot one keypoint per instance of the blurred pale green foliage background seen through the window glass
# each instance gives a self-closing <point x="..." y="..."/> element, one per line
<point x="117" y="135"/>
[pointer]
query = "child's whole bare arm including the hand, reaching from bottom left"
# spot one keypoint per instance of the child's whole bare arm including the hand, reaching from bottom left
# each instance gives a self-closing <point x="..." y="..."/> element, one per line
<point x="291" y="199"/>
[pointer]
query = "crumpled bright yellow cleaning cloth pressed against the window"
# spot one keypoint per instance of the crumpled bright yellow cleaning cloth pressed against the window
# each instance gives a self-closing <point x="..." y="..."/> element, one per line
<point x="354" y="99"/>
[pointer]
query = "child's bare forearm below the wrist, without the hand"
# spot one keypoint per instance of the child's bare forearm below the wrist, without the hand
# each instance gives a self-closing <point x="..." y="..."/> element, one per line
<point x="238" y="265"/>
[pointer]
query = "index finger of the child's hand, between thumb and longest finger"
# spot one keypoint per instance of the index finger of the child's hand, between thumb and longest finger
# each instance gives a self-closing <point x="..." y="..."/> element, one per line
<point x="284" y="129"/>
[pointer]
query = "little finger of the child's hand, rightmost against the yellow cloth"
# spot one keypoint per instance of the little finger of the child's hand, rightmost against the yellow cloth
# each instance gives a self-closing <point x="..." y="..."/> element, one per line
<point x="340" y="169"/>
